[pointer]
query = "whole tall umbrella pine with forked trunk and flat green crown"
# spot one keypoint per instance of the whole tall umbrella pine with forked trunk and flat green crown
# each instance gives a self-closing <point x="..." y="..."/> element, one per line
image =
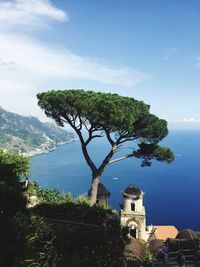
<point x="118" y="118"/>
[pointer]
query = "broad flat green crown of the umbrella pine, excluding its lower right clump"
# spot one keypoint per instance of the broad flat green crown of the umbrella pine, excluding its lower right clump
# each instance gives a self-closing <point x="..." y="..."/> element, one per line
<point x="109" y="112"/>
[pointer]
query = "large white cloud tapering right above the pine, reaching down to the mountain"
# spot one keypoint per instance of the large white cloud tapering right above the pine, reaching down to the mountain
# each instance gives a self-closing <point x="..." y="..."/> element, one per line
<point x="29" y="66"/>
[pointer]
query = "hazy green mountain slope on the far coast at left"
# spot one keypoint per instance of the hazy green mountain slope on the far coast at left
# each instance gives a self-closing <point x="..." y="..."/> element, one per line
<point x="29" y="135"/>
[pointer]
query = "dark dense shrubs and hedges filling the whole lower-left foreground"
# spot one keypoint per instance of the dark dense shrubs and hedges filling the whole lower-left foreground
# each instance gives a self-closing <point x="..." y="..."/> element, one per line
<point x="29" y="239"/>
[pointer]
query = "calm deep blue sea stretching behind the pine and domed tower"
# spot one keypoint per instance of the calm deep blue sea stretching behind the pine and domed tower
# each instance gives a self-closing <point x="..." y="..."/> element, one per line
<point x="172" y="192"/>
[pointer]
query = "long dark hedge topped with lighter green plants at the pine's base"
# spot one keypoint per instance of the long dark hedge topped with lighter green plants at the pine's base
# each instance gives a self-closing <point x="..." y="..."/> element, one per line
<point x="58" y="206"/>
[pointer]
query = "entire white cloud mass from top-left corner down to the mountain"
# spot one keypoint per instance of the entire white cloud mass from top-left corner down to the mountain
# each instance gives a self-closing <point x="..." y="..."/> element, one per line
<point x="28" y="66"/>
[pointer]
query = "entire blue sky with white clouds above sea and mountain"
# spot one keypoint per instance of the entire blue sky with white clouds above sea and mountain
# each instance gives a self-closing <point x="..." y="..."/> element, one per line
<point x="145" y="49"/>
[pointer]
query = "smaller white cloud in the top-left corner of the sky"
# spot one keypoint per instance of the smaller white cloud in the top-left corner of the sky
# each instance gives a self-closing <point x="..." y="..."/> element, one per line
<point x="34" y="13"/>
